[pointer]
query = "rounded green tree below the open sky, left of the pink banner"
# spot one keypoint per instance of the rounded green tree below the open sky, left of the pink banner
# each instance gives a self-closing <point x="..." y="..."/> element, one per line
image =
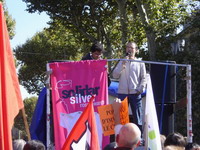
<point x="45" y="46"/>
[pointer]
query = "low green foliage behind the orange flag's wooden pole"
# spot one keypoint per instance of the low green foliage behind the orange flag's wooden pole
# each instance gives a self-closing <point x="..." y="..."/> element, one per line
<point x="29" y="106"/>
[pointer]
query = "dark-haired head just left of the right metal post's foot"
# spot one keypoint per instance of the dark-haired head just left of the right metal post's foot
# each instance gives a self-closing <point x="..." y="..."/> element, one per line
<point x="175" y="139"/>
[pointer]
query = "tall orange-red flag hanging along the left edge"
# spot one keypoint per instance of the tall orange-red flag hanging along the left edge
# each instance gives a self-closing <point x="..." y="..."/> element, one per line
<point x="10" y="96"/>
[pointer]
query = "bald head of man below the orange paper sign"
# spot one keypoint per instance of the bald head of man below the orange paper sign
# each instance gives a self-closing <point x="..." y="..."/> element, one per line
<point x="129" y="136"/>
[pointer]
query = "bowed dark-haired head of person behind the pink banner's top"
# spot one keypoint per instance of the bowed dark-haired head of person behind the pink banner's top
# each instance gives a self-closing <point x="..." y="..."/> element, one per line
<point x="96" y="50"/>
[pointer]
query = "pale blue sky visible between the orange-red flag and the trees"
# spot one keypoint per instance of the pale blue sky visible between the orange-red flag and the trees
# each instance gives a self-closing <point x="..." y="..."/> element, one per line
<point x="26" y="26"/>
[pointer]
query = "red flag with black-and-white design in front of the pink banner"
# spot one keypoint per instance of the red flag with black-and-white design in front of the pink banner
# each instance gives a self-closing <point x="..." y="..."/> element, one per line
<point x="84" y="133"/>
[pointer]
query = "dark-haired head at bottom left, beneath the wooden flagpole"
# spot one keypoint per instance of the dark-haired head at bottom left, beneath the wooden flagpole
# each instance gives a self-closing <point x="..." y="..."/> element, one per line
<point x="34" y="145"/>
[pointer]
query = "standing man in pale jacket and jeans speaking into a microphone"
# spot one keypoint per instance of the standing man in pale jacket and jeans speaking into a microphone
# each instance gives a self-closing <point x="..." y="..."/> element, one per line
<point x="132" y="82"/>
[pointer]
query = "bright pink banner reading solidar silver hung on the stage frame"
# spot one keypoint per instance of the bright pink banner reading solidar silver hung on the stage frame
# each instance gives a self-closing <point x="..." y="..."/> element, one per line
<point x="73" y="84"/>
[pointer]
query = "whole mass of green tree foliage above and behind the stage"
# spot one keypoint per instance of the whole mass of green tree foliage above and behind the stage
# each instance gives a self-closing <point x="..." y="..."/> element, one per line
<point x="76" y="24"/>
